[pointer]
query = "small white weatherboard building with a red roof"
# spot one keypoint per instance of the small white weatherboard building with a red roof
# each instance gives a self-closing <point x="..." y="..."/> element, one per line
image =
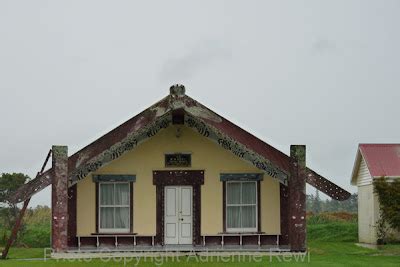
<point x="372" y="161"/>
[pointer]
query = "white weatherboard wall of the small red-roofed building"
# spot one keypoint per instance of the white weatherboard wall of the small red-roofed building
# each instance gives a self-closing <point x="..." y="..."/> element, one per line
<point x="368" y="205"/>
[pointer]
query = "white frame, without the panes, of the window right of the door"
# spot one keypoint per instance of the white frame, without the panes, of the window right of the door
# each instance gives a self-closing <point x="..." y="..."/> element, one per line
<point x="240" y="230"/>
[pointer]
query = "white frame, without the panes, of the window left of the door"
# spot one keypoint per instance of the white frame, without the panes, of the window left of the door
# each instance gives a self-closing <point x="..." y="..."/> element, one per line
<point x="114" y="230"/>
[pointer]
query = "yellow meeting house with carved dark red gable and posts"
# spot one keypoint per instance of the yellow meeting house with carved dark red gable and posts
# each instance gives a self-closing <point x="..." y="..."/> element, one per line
<point x="178" y="175"/>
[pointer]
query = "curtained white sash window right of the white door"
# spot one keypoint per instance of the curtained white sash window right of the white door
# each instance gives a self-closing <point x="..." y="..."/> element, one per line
<point x="241" y="206"/>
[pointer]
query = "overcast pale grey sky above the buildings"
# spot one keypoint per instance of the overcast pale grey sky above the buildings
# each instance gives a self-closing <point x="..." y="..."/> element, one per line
<point x="321" y="73"/>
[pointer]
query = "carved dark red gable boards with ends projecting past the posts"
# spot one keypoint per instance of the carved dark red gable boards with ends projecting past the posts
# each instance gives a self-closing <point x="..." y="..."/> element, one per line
<point x="179" y="107"/>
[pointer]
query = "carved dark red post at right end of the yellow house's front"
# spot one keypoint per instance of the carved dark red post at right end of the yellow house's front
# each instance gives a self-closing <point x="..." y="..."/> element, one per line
<point x="297" y="198"/>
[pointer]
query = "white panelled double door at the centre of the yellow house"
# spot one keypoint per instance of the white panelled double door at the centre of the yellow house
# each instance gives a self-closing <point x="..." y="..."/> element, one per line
<point x="178" y="215"/>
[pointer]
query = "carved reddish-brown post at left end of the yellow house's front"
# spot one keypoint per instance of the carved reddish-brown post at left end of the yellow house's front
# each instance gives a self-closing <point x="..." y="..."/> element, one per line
<point x="59" y="199"/>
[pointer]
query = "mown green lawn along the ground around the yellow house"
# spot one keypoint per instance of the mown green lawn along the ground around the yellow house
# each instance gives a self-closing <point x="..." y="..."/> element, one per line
<point x="322" y="253"/>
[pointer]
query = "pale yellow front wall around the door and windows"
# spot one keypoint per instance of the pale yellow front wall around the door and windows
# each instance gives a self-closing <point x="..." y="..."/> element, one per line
<point x="149" y="156"/>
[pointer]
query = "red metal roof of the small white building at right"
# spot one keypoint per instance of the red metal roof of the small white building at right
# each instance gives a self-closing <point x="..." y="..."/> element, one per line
<point x="382" y="159"/>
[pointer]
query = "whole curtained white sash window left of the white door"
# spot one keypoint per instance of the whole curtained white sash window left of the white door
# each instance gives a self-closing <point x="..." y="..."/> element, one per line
<point x="114" y="208"/>
